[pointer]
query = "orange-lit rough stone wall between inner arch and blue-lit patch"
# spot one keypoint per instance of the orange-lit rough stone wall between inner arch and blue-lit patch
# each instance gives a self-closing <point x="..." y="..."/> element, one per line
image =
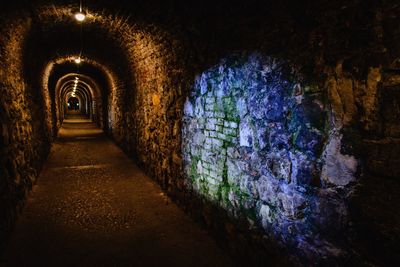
<point x="151" y="132"/>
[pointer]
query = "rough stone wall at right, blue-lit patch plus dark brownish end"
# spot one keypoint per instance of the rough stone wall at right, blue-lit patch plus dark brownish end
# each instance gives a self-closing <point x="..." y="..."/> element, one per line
<point x="295" y="157"/>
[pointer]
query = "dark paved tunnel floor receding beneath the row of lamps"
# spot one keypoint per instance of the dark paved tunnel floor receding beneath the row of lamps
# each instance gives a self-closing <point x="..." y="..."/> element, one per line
<point x="92" y="206"/>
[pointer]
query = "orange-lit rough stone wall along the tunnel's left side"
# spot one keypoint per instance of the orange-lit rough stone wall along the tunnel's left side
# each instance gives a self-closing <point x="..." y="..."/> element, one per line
<point x="24" y="140"/>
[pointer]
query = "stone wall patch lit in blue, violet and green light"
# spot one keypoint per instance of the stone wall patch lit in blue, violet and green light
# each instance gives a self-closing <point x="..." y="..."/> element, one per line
<point x="258" y="143"/>
